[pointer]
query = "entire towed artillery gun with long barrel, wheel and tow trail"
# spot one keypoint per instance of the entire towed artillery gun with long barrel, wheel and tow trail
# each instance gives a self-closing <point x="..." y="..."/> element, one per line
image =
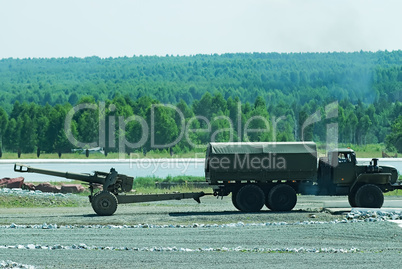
<point x="114" y="189"/>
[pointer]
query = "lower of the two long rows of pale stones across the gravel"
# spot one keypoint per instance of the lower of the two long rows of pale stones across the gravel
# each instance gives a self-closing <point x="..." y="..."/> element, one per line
<point x="176" y="249"/>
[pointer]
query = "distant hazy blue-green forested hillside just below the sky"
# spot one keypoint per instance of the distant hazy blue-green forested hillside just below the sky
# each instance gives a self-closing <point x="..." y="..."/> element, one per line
<point x="288" y="77"/>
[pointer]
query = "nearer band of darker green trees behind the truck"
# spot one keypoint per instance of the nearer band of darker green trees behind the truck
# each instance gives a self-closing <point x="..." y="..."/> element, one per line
<point x="125" y="124"/>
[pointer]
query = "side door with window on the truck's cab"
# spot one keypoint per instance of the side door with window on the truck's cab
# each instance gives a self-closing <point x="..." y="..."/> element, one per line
<point x="344" y="172"/>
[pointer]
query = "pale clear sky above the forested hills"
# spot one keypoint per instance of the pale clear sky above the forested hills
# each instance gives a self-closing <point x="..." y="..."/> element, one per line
<point x="49" y="28"/>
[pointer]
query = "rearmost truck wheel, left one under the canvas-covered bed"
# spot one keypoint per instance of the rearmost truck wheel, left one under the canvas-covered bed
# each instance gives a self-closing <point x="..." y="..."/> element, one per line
<point x="250" y="198"/>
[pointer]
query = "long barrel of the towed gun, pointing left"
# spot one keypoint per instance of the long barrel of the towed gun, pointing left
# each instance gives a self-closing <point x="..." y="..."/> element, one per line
<point x="95" y="178"/>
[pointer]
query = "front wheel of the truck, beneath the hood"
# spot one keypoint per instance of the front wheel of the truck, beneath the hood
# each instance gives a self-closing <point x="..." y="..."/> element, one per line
<point x="369" y="196"/>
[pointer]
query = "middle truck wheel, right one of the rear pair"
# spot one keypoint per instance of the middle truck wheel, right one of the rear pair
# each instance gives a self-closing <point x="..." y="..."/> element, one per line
<point x="282" y="197"/>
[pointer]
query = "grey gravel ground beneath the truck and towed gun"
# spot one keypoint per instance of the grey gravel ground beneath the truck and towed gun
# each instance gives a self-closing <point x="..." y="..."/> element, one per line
<point x="184" y="234"/>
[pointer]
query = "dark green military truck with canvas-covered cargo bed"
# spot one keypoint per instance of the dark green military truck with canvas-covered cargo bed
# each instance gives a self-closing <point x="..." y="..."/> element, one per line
<point x="272" y="174"/>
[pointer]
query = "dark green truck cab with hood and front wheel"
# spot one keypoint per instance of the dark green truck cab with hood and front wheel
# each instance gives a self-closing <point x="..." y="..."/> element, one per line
<point x="341" y="174"/>
